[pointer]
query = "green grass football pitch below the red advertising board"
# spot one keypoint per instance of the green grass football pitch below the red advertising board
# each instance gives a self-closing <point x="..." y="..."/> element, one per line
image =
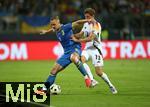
<point x="131" y="78"/>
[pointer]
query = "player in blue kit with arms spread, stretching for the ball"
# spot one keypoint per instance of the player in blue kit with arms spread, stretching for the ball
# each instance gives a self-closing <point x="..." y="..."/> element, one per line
<point x="72" y="50"/>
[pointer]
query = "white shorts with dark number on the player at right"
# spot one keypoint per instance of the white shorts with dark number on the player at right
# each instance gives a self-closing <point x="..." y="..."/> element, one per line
<point x="93" y="54"/>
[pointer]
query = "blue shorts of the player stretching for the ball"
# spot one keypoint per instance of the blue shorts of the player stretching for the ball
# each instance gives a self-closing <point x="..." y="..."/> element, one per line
<point x="64" y="60"/>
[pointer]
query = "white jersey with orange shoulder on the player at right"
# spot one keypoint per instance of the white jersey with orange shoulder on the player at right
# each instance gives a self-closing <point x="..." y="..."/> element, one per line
<point x="96" y="29"/>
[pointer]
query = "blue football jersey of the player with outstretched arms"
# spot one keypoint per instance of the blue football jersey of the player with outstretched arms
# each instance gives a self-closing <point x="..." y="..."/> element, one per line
<point x="64" y="36"/>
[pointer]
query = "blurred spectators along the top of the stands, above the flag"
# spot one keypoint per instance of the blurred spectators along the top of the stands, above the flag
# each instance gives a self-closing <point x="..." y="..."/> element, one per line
<point x="72" y="7"/>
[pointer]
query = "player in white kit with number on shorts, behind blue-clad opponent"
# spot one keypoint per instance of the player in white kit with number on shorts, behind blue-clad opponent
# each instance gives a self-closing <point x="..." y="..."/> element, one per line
<point x="93" y="48"/>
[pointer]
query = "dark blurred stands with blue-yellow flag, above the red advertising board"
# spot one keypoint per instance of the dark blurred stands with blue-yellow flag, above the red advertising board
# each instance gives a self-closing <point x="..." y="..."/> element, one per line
<point x="116" y="16"/>
